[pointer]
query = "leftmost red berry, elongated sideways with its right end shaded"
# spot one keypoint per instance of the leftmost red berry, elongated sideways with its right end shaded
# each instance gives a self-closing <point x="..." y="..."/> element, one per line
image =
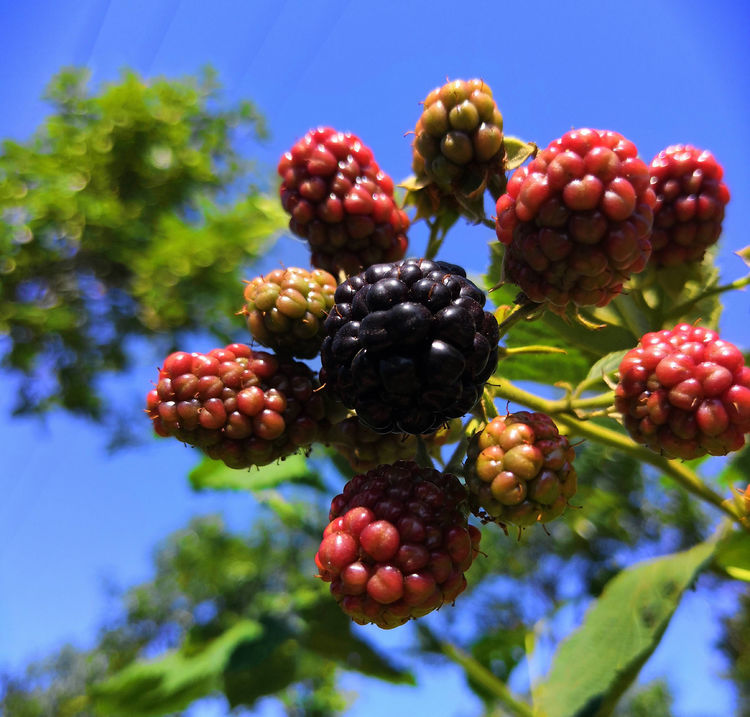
<point x="237" y="405"/>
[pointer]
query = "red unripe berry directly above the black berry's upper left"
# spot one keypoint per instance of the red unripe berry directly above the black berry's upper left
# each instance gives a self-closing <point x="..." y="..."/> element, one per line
<point x="341" y="202"/>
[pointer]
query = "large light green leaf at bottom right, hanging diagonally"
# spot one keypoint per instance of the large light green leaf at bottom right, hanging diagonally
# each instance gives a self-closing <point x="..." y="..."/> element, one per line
<point x="596" y="664"/>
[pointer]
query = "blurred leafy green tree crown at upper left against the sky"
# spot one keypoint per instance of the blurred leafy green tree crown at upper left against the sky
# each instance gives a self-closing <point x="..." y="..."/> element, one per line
<point x="128" y="214"/>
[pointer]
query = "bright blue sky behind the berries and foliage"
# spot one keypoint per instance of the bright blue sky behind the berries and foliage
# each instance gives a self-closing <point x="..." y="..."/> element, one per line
<point x="658" y="72"/>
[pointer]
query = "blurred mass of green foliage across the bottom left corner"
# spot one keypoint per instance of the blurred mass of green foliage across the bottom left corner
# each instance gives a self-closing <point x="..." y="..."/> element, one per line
<point x="224" y="614"/>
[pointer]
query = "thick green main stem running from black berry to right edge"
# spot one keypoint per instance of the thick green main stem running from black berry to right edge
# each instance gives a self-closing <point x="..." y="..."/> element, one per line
<point x="679" y="472"/>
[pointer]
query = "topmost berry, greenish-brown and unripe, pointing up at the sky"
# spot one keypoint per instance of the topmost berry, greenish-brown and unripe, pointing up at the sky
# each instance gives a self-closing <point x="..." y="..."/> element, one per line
<point x="458" y="143"/>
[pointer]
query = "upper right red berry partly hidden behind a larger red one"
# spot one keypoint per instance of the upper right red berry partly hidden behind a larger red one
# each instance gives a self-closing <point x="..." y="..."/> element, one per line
<point x="690" y="202"/>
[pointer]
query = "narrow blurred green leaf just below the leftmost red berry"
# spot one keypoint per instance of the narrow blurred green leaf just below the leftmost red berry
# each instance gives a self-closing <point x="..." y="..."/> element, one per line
<point x="215" y="475"/>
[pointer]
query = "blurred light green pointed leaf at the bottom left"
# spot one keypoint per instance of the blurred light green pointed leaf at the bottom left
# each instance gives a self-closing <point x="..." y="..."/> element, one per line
<point x="171" y="683"/>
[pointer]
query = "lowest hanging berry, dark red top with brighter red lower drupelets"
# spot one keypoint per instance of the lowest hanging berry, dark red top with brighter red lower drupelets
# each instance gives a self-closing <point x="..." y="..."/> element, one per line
<point x="397" y="544"/>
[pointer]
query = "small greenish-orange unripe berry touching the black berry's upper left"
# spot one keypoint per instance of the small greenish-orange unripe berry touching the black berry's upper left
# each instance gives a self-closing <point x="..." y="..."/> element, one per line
<point x="286" y="308"/>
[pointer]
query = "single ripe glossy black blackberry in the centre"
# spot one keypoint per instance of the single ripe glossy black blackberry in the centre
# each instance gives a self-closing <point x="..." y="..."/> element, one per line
<point x="408" y="345"/>
